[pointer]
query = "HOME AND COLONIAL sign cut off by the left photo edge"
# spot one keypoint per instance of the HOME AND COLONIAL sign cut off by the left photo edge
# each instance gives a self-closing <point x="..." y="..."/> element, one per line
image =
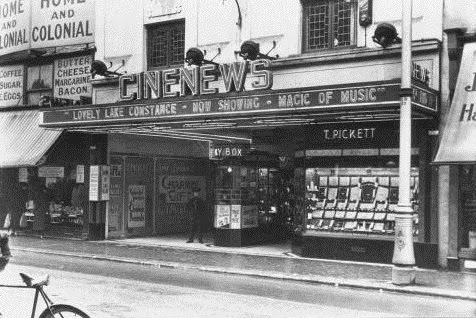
<point x="14" y="25"/>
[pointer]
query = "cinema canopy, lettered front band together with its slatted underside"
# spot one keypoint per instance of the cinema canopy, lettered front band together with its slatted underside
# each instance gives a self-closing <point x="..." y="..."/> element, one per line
<point x="245" y="114"/>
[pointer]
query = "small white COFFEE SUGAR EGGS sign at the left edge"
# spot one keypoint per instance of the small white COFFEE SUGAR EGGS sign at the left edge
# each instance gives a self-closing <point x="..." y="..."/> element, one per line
<point x="11" y="84"/>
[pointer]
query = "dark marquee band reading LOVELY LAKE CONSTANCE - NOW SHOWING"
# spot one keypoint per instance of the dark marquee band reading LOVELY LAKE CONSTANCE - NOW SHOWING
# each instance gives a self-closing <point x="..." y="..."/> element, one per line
<point x="239" y="104"/>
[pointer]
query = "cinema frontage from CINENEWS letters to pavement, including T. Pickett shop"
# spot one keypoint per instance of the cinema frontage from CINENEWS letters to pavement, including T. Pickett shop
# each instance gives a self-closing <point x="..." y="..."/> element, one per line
<point x="303" y="148"/>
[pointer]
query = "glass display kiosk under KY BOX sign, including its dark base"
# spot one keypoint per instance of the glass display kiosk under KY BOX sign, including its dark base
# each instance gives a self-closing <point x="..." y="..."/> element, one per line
<point x="253" y="204"/>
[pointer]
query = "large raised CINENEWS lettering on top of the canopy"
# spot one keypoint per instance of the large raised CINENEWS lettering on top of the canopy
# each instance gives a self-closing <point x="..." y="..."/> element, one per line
<point x="195" y="80"/>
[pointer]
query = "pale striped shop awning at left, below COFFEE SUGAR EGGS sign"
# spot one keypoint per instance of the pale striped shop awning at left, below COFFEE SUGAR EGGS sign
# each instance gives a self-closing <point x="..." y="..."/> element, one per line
<point x="22" y="141"/>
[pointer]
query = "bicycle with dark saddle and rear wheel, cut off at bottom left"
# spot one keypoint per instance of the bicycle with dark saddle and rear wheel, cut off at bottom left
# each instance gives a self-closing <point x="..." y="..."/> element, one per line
<point x="52" y="310"/>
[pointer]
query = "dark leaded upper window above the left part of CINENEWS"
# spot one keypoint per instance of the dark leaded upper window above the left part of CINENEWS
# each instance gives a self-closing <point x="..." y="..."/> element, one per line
<point x="166" y="44"/>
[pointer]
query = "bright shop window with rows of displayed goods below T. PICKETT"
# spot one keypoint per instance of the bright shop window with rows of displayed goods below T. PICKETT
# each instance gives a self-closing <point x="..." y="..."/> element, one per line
<point x="355" y="200"/>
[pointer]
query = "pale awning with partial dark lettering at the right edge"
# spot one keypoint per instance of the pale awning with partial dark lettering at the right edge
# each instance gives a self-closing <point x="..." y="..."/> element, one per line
<point x="458" y="142"/>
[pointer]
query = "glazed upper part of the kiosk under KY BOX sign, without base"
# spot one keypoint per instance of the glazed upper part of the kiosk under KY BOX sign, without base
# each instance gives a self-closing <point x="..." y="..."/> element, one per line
<point x="252" y="197"/>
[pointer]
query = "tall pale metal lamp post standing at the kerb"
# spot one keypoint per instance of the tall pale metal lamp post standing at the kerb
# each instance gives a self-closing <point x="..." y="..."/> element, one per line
<point x="403" y="272"/>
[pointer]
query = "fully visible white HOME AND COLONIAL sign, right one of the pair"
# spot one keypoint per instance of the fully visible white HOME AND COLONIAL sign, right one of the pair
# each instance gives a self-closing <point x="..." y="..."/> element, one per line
<point x="61" y="22"/>
